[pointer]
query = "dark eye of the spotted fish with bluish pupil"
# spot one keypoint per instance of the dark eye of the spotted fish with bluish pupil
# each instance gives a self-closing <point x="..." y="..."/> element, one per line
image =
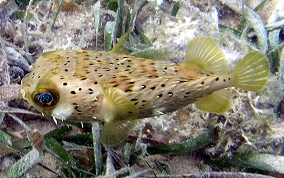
<point x="46" y="98"/>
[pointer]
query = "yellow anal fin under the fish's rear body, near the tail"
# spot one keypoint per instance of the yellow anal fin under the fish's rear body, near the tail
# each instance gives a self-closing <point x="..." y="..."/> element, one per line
<point x="217" y="102"/>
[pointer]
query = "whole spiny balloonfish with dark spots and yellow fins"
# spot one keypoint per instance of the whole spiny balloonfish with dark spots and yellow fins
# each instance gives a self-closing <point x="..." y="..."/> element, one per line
<point x="118" y="89"/>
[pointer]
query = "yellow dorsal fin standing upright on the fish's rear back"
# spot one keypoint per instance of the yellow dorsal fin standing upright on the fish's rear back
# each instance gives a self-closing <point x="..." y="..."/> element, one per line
<point x="205" y="53"/>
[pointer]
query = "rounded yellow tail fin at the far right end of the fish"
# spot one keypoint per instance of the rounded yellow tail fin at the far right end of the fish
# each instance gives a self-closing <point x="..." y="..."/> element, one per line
<point x="252" y="72"/>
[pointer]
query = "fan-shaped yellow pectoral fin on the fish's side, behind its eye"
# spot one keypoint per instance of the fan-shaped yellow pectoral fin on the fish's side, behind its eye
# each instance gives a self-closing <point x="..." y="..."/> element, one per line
<point x="120" y="117"/>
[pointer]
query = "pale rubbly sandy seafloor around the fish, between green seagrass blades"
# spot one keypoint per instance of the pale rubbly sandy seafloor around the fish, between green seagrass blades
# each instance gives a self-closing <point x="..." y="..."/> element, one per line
<point x="254" y="124"/>
